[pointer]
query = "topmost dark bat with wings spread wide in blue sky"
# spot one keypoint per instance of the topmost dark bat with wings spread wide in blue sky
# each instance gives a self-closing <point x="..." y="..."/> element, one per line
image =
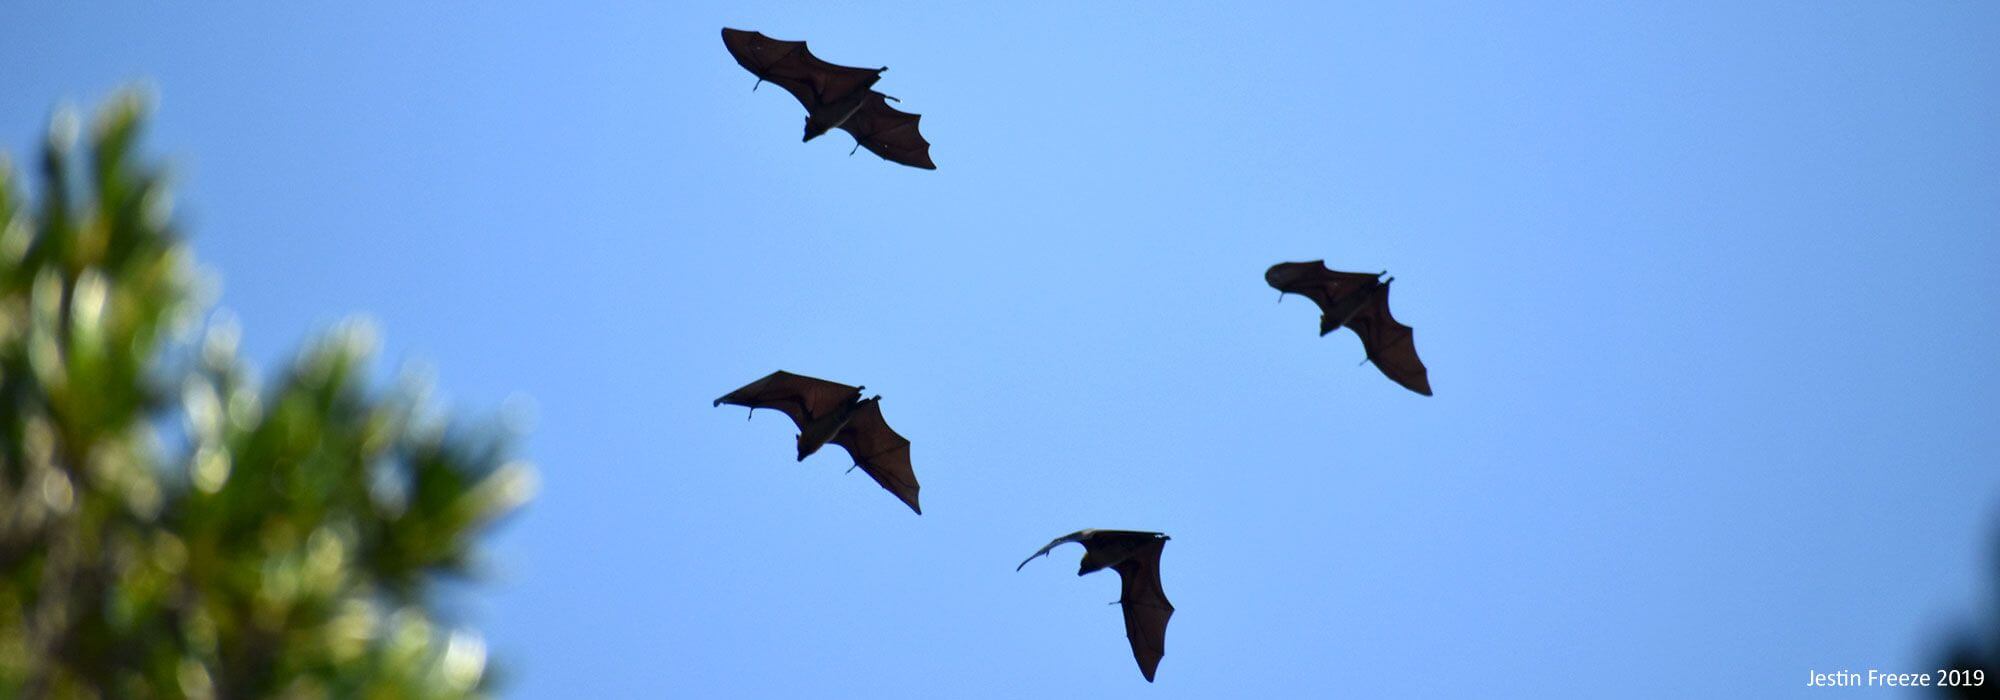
<point x="835" y="97"/>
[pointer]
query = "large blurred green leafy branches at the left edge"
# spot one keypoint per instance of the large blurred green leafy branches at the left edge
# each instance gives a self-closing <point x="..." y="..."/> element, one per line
<point x="169" y="529"/>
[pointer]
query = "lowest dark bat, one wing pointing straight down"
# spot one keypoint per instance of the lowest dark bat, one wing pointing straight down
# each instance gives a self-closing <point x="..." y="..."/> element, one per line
<point x="1137" y="559"/>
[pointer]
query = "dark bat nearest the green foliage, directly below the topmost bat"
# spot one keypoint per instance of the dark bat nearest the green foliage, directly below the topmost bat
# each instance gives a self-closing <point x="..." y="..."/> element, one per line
<point x="837" y="413"/>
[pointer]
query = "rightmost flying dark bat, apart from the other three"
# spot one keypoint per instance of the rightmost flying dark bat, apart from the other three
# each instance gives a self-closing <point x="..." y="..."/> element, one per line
<point x="1357" y="301"/>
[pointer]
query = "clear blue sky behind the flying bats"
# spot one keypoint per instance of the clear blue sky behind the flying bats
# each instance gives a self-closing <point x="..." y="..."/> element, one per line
<point x="1707" y="293"/>
